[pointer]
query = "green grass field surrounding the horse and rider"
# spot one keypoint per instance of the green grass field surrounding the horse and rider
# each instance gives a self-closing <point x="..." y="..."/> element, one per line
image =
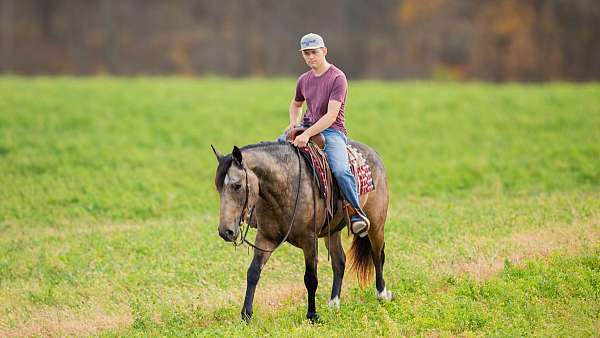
<point x="108" y="212"/>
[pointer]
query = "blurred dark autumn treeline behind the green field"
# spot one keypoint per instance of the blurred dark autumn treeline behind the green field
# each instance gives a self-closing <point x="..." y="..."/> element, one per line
<point x="495" y="40"/>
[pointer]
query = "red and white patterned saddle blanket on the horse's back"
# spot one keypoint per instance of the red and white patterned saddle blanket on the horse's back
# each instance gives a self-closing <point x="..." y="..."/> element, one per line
<point x="358" y="165"/>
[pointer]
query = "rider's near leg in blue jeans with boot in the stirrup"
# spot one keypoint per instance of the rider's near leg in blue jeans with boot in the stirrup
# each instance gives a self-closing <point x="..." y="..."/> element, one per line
<point x="337" y="155"/>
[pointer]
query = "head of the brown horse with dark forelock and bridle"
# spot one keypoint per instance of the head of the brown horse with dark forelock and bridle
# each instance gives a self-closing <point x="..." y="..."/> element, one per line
<point x="238" y="192"/>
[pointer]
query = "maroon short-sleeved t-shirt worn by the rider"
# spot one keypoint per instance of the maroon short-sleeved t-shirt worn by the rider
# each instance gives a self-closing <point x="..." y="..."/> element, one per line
<point x="318" y="90"/>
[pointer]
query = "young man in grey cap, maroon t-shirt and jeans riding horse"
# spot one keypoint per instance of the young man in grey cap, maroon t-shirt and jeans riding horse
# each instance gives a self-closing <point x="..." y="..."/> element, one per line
<point x="324" y="89"/>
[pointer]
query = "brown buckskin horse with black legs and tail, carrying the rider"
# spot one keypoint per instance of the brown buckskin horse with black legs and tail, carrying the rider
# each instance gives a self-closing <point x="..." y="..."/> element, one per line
<point x="269" y="185"/>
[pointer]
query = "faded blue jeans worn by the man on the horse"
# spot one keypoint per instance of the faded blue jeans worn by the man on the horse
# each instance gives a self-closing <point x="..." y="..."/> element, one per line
<point x="337" y="156"/>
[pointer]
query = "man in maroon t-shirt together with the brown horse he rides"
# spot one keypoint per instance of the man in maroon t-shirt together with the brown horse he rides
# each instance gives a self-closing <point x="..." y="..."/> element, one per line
<point x="261" y="184"/>
